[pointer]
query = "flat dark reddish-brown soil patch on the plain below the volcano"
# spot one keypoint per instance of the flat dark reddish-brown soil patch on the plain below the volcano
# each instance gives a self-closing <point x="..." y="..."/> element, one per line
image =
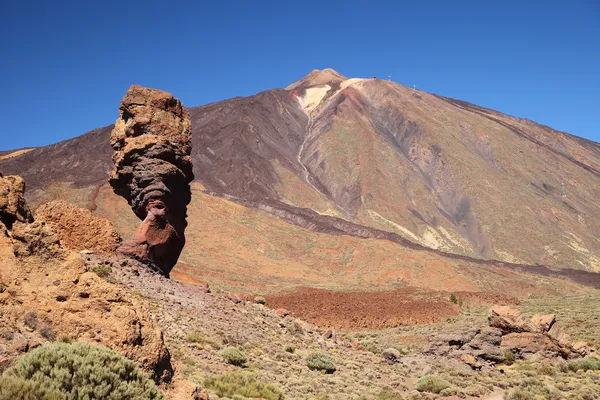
<point x="350" y="310"/>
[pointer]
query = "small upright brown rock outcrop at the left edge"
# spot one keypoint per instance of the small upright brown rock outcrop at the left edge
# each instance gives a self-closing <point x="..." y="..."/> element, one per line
<point x="12" y="201"/>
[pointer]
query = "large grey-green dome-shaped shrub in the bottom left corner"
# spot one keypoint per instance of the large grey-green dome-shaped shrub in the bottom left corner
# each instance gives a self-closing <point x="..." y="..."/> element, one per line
<point x="83" y="371"/>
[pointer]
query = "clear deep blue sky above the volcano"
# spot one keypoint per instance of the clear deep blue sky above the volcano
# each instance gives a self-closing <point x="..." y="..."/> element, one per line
<point x="66" y="65"/>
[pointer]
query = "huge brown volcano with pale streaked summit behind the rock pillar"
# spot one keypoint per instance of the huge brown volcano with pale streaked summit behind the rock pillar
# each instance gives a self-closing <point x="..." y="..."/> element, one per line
<point x="438" y="172"/>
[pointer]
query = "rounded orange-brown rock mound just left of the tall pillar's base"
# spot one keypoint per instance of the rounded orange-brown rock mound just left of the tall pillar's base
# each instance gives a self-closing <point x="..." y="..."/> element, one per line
<point x="78" y="228"/>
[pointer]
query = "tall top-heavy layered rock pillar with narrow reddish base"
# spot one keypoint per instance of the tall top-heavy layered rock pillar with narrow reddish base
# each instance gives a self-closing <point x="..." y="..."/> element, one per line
<point x="153" y="169"/>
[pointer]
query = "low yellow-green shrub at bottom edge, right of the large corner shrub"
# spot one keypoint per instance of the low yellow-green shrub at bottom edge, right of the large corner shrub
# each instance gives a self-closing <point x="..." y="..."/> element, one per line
<point x="243" y="384"/>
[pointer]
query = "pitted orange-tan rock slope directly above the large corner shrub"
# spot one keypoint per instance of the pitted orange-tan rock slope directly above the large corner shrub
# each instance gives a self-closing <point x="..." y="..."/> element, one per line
<point x="57" y="298"/>
